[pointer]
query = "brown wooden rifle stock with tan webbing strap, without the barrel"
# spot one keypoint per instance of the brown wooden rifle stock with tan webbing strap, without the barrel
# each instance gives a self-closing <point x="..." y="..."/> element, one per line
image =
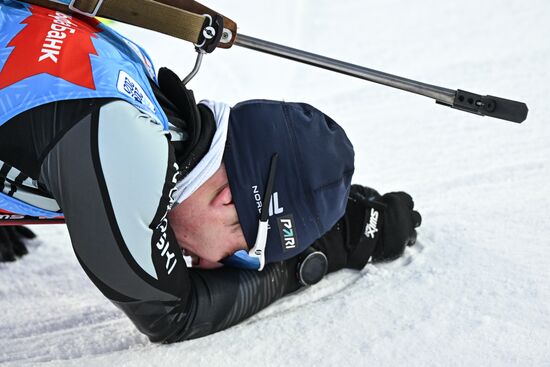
<point x="183" y="19"/>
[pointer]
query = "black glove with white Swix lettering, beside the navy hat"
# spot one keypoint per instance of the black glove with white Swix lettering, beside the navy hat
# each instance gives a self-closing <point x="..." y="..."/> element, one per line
<point x="374" y="226"/>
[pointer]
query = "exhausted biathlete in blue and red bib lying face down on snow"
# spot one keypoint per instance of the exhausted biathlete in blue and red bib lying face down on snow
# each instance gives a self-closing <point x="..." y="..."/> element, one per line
<point x="140" y="172"/>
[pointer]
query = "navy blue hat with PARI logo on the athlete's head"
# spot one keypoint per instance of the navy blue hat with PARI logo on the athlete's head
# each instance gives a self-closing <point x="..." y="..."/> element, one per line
<point x="311" y="180"/>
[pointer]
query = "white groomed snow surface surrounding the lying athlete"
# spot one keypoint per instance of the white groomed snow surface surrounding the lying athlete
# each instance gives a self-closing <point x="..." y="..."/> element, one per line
<point x="475" y="291"/>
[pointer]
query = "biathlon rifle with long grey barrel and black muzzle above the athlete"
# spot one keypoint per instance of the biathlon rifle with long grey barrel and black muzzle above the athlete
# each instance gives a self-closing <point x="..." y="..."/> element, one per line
<point x="209" y="30"/>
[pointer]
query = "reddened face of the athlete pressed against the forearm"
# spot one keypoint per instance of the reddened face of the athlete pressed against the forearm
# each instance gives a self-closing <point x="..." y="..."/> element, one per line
<point x="206" y="224"/>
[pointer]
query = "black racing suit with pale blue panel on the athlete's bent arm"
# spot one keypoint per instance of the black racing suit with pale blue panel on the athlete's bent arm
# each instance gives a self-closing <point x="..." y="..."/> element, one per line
<point x="111" y="169"/>
